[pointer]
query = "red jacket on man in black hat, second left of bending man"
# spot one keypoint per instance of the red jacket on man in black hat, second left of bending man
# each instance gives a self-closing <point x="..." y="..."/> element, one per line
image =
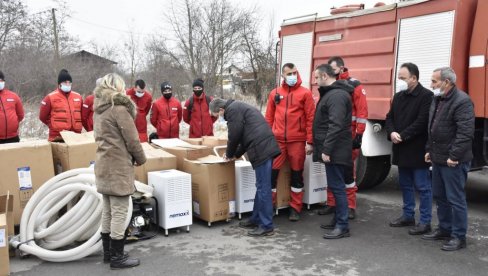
<point x="166" y="117"/>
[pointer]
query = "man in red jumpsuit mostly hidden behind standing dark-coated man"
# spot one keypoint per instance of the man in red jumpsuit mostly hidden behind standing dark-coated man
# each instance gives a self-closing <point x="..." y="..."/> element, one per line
<point x="358" y="125"/>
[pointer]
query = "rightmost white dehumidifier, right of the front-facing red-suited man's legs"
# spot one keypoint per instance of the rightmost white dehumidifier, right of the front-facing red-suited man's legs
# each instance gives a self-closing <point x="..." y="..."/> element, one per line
<point x="315" y="183"/>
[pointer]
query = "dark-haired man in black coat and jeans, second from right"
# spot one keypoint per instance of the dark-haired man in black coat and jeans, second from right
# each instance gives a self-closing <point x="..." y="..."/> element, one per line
<point x="406" y="125"/>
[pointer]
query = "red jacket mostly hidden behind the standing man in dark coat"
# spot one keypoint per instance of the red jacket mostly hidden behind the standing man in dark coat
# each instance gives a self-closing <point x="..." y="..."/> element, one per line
<point x="359" y="105"/>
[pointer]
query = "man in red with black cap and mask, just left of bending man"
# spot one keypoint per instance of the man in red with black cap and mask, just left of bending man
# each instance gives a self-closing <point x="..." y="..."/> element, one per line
<point x="196" y="112"/>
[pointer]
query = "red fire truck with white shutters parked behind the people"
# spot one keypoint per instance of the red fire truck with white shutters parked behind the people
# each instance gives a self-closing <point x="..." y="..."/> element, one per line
<point x="375" y="42"/>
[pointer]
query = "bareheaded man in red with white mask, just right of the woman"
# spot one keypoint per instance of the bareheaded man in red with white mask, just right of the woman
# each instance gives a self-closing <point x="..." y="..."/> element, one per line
<point x="143" y="100"/>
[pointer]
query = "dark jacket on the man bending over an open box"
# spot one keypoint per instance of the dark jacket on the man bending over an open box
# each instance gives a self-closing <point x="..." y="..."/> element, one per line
<point x="249" y="132"/>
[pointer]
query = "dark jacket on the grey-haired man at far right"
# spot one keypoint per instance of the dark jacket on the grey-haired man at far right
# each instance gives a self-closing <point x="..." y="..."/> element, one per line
<point x="451" y="128"/>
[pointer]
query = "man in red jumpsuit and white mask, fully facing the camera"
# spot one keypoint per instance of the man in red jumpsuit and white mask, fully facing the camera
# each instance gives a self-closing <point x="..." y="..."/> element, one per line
<point x="290" y="113"/>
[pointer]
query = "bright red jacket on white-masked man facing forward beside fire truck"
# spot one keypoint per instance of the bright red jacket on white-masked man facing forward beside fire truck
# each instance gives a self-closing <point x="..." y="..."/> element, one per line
<point x="292" y="118"/>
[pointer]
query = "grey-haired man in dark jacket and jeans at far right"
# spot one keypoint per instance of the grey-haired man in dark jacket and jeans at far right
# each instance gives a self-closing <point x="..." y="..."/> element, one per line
<point x="449" y="148"/>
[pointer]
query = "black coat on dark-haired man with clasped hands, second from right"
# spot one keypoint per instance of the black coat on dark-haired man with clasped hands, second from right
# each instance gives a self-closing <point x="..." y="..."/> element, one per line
<point x="409" y="116"/>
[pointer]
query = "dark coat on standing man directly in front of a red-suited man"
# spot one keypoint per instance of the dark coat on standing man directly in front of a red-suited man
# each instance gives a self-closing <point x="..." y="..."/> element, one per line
<point x="332" y="124"/>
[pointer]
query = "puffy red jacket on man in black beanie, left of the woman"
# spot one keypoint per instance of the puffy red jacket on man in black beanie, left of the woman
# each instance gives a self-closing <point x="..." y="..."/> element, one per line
<point x="61" y="111"/>
